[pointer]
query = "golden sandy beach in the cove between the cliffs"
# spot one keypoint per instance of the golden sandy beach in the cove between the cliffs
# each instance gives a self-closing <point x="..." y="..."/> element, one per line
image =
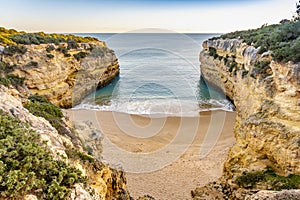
<point x="203" y="141"/>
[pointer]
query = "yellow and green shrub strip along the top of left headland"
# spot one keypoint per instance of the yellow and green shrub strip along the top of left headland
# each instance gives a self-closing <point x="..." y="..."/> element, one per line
<point x="13" y="37"/>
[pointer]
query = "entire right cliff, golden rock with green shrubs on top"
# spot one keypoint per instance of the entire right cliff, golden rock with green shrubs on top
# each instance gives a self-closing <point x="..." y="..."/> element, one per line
<point x="266" y="92"/>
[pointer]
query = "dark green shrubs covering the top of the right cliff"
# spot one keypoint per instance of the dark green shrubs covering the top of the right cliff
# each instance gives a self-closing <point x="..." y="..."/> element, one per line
<point x="283" y="40"/>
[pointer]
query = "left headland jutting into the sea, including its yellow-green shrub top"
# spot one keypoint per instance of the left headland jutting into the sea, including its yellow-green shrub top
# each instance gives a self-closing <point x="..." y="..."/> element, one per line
<point x="62" y="68"/>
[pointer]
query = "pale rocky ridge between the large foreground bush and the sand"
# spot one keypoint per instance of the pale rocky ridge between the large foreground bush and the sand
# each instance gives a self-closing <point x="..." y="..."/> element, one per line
<point x="103" y="182"/>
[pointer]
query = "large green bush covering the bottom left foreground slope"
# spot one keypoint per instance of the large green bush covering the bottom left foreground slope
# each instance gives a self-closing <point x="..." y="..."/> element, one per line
<point x="27" y="166"/>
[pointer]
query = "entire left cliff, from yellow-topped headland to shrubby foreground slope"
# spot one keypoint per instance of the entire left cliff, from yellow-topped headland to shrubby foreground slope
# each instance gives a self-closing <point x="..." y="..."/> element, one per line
<point x="43" y="154"/>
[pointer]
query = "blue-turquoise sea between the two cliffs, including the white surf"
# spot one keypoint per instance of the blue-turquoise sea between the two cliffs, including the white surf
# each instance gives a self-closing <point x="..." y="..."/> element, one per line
<point x="159" y="75"/>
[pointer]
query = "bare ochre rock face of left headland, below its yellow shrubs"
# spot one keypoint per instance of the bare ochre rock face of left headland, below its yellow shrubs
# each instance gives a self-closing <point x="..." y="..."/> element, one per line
<point x="54" y="71"/>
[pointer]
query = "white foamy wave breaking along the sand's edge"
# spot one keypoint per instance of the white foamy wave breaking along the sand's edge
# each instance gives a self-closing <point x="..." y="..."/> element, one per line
<point x="182" y="108"/>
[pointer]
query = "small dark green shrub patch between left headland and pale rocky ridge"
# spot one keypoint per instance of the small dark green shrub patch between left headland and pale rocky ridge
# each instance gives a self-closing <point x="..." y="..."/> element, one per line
<point x="41" y="107"/>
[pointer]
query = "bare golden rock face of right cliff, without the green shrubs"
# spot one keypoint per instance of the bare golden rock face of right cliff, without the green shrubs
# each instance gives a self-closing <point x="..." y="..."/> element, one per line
<point x="267" y="99"/>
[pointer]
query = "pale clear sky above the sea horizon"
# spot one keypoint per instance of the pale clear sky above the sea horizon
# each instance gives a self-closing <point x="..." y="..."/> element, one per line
<point x="197" y="16"/>
